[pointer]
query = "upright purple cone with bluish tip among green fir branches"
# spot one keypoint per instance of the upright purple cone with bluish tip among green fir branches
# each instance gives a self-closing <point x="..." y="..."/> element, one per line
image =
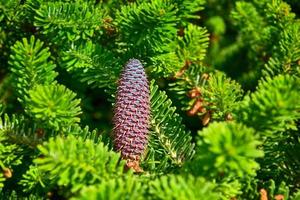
<point x="132" y="112"/>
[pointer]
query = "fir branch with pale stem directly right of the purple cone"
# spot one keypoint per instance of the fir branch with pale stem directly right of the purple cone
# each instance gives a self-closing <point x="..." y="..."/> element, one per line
<point x="170" y="145"/>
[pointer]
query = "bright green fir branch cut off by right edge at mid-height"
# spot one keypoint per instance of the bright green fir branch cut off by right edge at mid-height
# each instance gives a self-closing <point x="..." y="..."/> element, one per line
<point x="273" y="107"/>
